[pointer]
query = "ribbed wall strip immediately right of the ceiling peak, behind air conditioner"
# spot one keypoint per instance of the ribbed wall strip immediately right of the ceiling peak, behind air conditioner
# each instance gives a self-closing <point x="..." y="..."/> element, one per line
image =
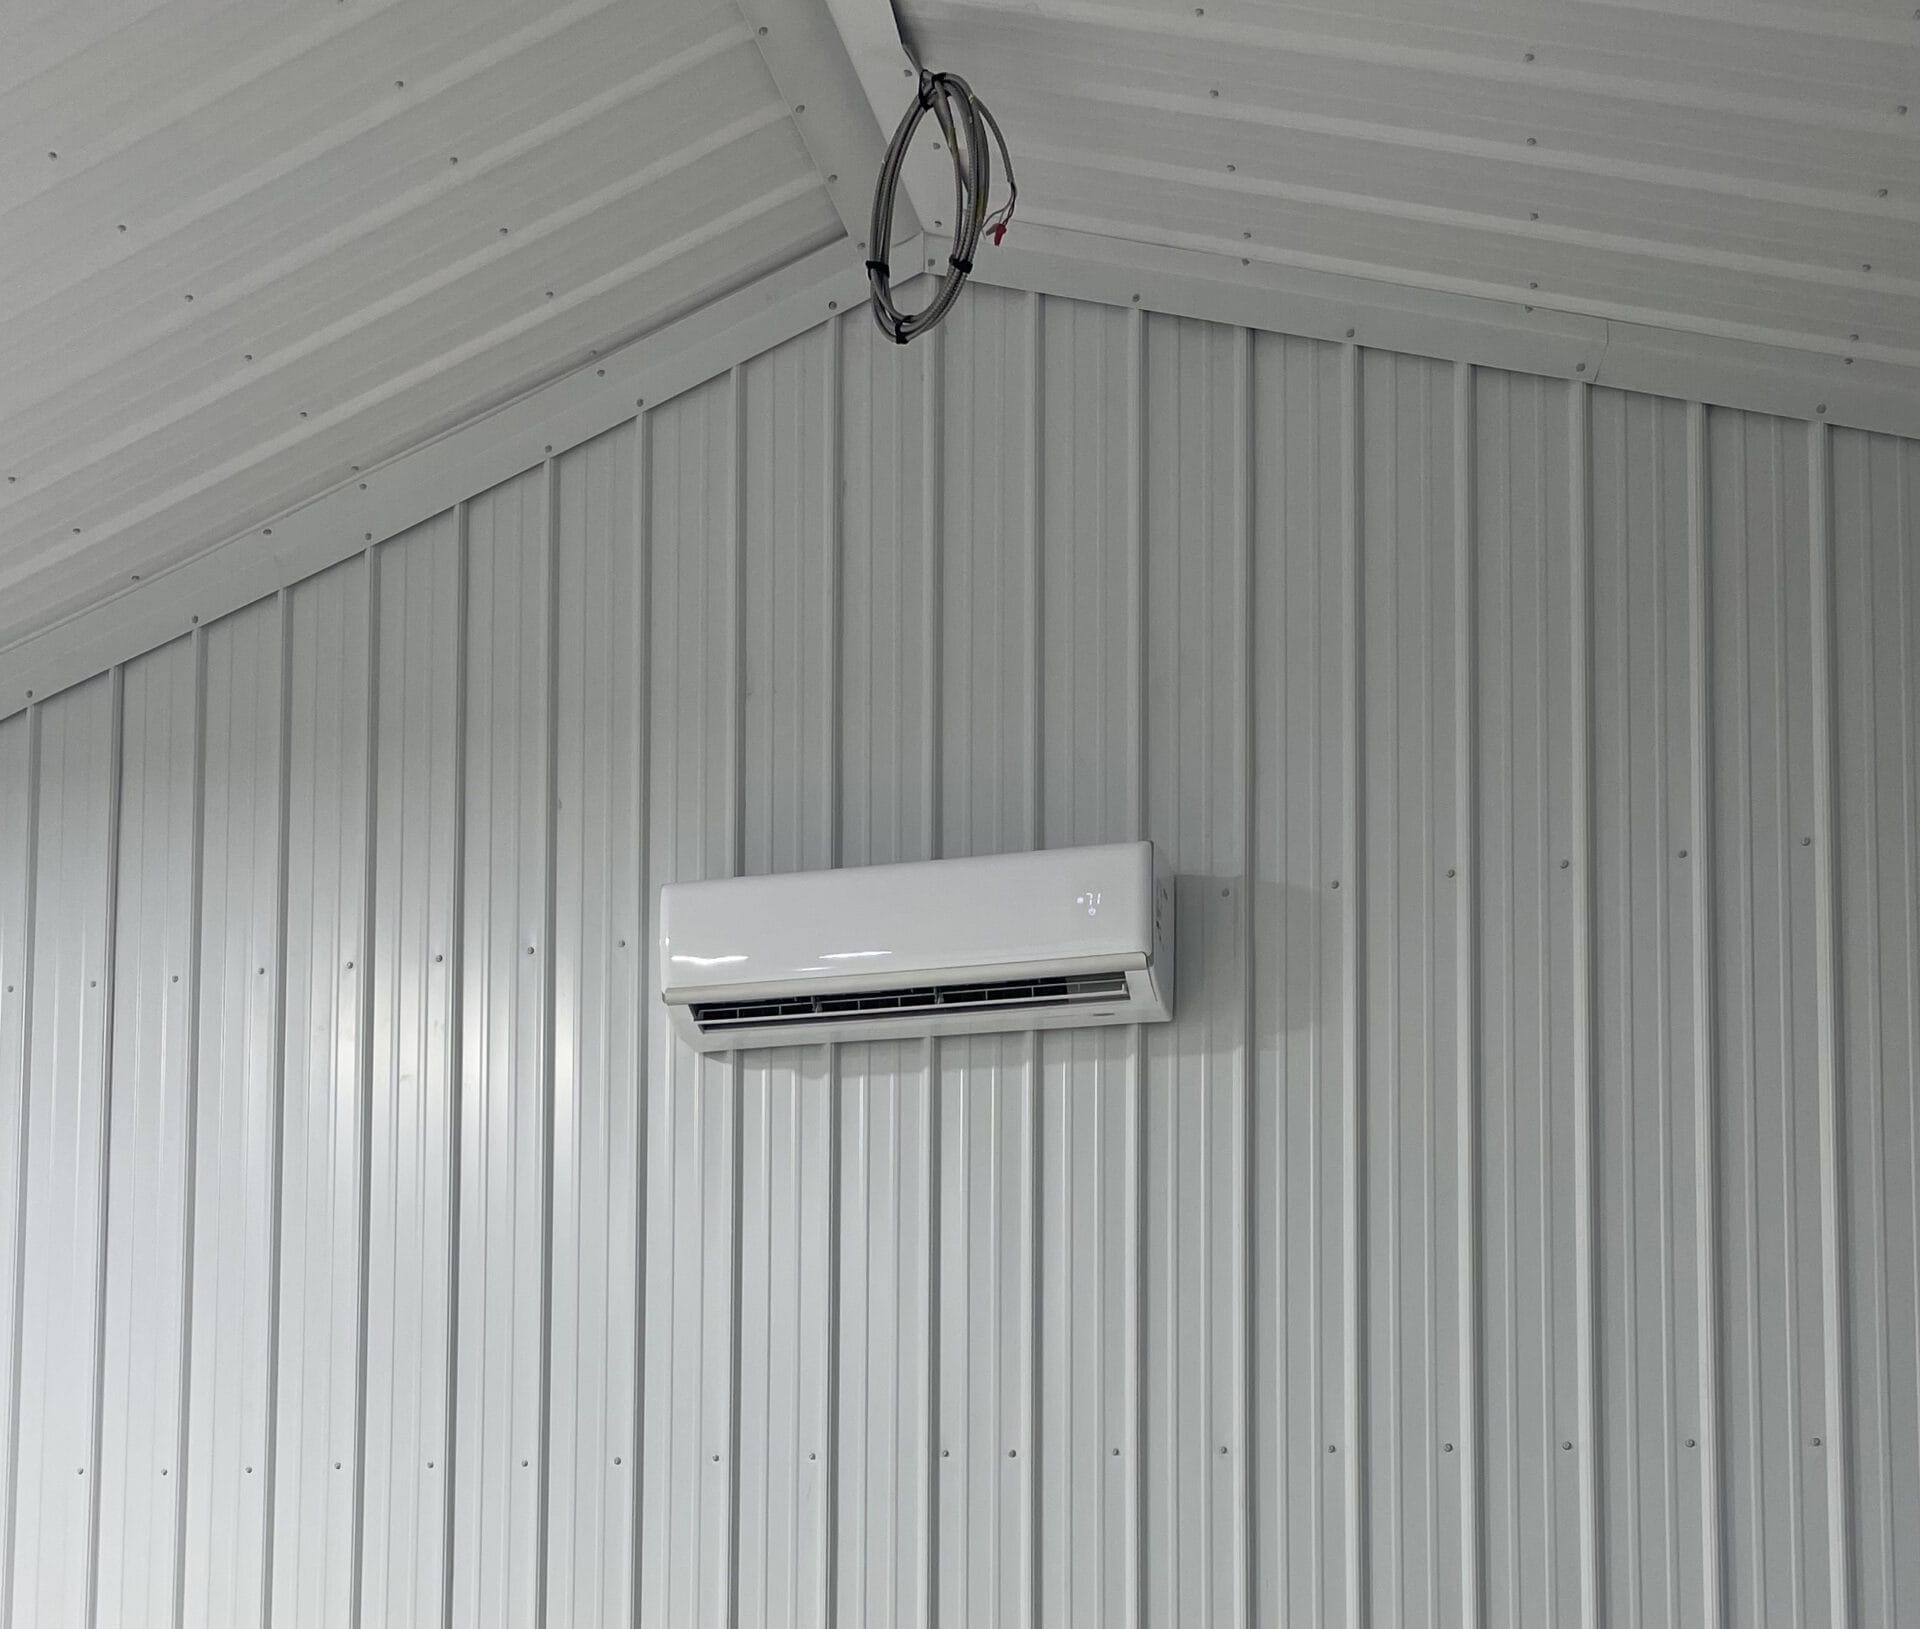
<point x="986" y="1086"/>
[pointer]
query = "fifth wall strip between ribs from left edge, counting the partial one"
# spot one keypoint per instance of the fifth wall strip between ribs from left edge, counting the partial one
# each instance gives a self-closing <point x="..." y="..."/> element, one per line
<point x="320" y="1330"/>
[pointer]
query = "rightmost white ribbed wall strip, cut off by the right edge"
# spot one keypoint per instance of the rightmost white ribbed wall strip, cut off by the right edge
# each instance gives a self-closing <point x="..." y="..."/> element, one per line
<point x="1877" y="604"/>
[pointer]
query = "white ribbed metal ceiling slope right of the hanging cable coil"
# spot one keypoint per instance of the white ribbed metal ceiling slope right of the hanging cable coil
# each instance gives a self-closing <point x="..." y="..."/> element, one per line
<point x="1748" y="174"/>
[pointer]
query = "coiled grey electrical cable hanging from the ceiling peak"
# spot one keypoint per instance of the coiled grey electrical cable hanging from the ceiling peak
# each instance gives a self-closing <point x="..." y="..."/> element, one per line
<point x="965" y="122"/>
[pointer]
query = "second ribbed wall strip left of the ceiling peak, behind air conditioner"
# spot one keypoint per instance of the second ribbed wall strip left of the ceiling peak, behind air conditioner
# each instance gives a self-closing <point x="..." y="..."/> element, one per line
<point x="788" y="1207"/>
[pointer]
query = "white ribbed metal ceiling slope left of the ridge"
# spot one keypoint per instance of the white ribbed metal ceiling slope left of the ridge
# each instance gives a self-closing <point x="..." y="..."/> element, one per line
<point x="251" y="251"/>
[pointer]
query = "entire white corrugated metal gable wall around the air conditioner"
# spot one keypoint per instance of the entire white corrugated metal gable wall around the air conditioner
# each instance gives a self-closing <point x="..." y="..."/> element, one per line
<point x="1520" y="1223"/>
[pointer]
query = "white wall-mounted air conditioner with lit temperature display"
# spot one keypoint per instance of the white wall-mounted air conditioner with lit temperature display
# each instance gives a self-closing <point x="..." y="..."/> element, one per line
<point x="1049" y="940"/>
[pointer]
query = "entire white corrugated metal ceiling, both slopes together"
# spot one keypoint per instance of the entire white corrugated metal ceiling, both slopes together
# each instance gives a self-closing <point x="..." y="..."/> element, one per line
<point x="249" y="251"/>
